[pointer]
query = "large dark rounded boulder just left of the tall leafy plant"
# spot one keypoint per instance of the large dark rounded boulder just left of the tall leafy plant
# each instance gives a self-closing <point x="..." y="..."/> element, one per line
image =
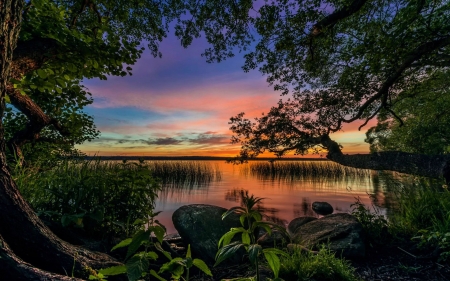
<point x="202" y="226"/>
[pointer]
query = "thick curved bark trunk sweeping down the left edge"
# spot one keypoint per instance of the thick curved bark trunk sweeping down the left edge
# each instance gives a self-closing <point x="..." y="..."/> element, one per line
<point x="25" y="234"/>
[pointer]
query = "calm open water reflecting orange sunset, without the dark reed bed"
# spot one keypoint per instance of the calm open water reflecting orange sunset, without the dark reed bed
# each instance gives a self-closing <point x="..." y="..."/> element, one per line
<point x="285" y="198"/>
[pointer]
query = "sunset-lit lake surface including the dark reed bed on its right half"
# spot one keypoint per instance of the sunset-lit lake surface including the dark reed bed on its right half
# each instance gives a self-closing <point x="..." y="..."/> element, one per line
<point x="288" y="195"/>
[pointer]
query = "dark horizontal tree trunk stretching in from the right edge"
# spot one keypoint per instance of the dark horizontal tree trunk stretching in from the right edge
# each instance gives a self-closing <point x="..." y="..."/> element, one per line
<point x="433" y="166"/>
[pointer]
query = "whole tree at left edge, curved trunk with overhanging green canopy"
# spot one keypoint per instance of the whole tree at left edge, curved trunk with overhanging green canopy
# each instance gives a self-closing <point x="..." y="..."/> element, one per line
<point x="46" y="48"/>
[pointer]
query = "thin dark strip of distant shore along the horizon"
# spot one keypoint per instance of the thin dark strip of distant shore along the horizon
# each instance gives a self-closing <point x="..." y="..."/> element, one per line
<point x="203" y="158"/>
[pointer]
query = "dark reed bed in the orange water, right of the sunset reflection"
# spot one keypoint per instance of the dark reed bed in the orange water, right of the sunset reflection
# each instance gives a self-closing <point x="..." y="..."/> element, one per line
<point x="309" y="170"/>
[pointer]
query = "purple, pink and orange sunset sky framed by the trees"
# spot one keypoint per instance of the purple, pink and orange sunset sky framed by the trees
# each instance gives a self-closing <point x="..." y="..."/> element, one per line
<point x="180" y="105"/>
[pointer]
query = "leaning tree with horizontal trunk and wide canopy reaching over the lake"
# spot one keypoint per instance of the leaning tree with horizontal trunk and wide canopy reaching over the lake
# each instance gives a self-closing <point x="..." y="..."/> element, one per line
<point x="341" y="61"/>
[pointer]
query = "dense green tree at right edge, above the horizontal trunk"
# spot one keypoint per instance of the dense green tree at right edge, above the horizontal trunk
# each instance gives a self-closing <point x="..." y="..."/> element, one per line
<point x="425" y="121"/>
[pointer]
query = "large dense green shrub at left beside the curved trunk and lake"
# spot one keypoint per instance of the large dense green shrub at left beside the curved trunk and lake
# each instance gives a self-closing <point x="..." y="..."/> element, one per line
<point x="103" y="197"/>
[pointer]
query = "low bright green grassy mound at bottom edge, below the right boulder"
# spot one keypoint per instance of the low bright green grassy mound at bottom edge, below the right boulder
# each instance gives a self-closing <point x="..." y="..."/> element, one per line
<point x="324" y="266"/>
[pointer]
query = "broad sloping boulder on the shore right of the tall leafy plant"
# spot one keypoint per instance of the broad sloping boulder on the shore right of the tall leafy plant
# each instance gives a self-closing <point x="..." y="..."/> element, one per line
<point x="341" y="232"/>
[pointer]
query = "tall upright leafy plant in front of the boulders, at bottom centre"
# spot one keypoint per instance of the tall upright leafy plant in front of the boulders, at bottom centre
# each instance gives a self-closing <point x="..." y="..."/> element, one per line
<point x="251" y="218"/>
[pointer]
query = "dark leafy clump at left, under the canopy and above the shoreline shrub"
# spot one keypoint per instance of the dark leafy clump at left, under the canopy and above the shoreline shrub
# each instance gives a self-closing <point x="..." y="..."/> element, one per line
<point x="45" y="147"/>
